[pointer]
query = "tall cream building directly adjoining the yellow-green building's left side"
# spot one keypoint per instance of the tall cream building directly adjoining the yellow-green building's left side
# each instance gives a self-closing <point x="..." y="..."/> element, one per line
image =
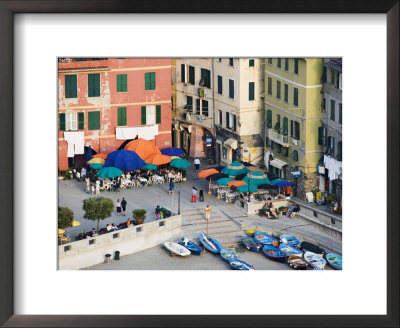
<point x="239" y="114"/>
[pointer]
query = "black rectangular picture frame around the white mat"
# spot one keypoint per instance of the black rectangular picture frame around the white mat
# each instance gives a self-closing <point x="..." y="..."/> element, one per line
<point x="7" y="11"/>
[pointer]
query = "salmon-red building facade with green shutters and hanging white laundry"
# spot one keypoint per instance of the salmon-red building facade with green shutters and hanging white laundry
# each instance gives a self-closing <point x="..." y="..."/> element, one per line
<point x="107" y="101"/>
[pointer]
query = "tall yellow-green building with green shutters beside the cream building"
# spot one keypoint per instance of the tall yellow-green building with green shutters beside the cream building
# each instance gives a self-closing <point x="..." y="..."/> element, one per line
<point x="293" y="115"/>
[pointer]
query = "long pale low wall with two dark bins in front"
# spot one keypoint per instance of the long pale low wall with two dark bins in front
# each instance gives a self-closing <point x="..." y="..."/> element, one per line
<point x="91" y="251"/>
